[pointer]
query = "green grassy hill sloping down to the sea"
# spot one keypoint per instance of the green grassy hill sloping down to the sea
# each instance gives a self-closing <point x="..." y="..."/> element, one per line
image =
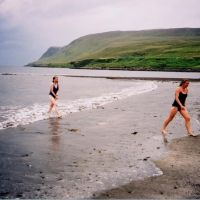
<point x="164" y="49"/>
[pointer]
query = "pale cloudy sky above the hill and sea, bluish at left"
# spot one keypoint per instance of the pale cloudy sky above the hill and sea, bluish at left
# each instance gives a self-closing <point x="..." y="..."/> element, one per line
<point x="29" y="27"/>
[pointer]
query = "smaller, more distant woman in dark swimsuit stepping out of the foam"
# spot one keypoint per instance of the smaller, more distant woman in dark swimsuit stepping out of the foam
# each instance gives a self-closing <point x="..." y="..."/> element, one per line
<point x="53" y="96"/>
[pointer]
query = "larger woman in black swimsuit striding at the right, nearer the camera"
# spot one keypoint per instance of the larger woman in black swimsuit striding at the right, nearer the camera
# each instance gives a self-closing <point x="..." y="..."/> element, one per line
<point x="179" y="105"/>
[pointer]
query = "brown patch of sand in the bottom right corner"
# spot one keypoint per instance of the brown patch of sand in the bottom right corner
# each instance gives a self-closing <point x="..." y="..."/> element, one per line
<point x="180" y="179"/>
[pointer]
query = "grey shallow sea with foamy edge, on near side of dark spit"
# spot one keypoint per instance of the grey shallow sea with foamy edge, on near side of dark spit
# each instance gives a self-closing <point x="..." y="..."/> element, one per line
<point x="25" y="98"/>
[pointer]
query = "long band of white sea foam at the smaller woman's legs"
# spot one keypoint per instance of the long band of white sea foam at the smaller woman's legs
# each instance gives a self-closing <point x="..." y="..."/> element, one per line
<point x="12" y="116"/>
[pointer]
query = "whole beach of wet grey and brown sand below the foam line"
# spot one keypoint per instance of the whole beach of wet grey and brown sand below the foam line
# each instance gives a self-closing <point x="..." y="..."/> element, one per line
<point x="115" y="151"/>
